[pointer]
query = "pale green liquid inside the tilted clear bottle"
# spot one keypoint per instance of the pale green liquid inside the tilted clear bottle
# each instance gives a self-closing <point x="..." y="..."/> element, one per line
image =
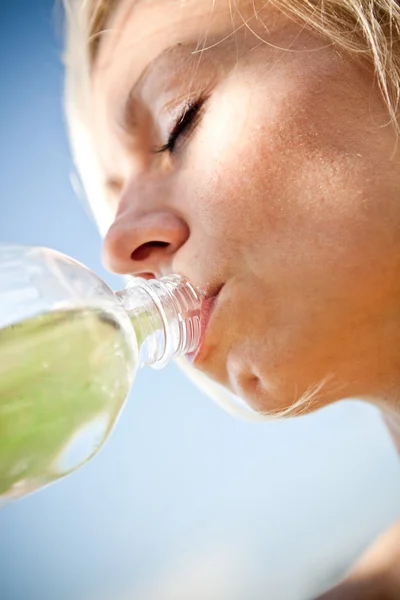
<point x="64" y="377"/>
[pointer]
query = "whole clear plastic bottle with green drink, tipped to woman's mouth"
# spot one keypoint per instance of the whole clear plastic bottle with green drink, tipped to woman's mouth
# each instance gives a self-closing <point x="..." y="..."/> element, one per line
<point x="69" y="351"/>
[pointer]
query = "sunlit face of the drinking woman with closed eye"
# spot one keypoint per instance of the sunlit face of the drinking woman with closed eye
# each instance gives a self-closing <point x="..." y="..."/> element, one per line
<point x="243" y="151"/>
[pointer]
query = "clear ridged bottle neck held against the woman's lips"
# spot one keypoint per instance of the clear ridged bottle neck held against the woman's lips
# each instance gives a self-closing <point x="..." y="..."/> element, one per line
<point x="165" y="315"/>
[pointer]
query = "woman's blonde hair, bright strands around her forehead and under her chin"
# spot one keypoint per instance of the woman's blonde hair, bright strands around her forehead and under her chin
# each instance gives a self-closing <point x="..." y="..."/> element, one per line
<point x="367" y="29"/>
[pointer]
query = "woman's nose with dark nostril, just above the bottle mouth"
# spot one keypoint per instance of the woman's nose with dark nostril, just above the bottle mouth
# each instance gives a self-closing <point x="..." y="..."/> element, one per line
<point x="144" y="237"/>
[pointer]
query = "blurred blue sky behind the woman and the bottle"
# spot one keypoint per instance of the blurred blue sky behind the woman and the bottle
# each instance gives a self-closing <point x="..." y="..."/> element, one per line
<point x="181" y="489"/>
